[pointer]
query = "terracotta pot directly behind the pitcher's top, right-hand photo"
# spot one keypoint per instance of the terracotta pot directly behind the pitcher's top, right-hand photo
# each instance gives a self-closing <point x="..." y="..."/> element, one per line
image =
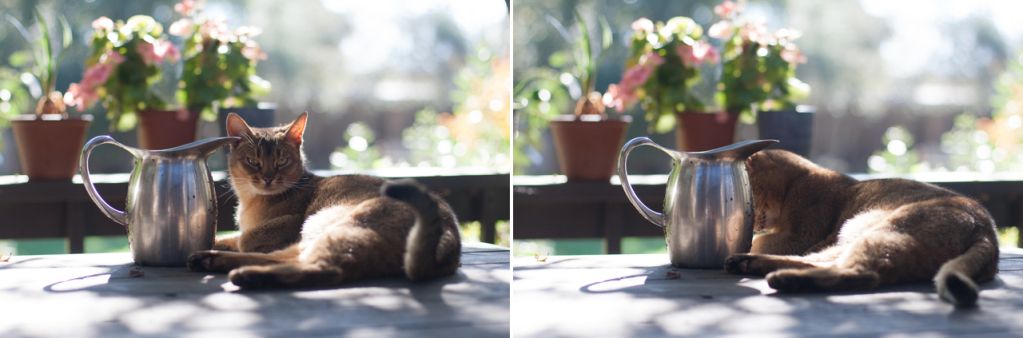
<point x="702" y="132"/>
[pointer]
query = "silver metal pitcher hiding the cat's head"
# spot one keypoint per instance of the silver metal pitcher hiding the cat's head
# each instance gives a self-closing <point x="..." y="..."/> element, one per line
<point x="708" y="206"/>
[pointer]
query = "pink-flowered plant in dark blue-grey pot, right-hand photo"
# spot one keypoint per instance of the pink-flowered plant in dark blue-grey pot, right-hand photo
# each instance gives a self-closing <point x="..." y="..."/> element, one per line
<point x="759" y="78"/>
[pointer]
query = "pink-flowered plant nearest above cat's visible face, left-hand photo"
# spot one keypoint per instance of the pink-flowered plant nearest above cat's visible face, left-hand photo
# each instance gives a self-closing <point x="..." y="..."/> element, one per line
<point x="219" y="68"/>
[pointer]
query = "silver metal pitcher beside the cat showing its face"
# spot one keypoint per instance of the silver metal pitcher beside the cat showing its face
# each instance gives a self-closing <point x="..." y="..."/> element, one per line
<point x="171" y="209"/>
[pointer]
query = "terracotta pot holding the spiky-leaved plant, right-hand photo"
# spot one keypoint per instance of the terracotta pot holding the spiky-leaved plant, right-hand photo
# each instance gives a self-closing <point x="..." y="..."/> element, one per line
<point x="588" y="151"/>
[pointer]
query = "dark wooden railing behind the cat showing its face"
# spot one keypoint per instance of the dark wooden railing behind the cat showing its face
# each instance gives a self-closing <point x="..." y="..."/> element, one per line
<point x="62" y="209"/>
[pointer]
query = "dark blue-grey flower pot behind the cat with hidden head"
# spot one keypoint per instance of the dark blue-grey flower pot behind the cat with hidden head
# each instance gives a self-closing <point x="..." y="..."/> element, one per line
<point x="793" y="129"/>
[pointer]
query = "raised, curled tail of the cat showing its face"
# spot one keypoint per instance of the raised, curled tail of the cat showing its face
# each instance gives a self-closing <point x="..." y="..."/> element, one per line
<point x="432" y="248"/>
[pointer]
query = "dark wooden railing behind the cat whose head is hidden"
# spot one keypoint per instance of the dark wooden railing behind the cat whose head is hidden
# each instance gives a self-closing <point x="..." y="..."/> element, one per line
<point x="549" y="207"/>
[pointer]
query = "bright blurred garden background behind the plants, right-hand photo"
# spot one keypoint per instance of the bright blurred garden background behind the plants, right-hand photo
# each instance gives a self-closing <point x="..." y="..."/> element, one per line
<point x="928" y="68"/>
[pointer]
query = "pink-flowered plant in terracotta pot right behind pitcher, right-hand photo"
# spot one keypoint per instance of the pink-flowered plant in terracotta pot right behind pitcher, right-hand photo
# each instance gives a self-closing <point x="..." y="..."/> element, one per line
<point x="661" y="73"/>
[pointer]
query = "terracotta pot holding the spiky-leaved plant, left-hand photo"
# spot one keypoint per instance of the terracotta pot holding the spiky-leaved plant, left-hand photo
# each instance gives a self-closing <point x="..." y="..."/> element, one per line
<point x="50" y="150"/>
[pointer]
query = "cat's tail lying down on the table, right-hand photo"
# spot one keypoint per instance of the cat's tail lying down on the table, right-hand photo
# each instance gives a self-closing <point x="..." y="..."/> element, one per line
<point x="957" y="280"/>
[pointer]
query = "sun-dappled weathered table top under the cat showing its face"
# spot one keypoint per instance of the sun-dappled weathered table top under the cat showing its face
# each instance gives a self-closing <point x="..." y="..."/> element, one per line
<point x="97" y="295"/>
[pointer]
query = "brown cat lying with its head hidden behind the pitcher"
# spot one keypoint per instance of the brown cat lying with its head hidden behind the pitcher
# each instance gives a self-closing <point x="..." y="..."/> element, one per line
<point x="819" y="230"/>
